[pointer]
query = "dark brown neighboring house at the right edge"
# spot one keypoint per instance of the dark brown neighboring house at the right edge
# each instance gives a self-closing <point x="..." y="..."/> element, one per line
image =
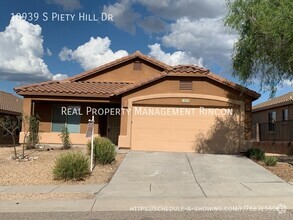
<point x="273" y="124"/>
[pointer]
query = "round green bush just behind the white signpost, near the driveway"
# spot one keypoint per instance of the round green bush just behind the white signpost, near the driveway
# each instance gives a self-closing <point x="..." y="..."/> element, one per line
<point x="104" y="150"/>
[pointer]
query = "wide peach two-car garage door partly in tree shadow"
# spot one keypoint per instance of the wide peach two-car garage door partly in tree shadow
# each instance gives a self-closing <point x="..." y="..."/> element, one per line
<point x="181" y="129"/>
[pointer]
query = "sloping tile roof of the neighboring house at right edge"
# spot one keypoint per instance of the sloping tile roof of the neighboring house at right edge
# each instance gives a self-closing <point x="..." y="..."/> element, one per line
<point x="275" y="102"/>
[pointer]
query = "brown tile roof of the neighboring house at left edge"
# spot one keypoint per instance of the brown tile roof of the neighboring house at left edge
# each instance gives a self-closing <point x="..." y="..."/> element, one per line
<point x="10" y="103"/>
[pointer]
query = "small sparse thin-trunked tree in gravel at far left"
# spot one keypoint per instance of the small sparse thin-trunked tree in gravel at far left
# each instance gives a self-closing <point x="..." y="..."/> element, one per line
<point x="11" y="125"/>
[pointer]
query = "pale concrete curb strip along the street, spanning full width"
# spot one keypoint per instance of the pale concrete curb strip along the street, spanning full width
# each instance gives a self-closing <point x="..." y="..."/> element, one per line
<point x="279" y="204"/>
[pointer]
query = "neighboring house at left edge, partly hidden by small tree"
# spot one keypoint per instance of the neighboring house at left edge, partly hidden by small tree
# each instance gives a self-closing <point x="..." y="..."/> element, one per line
<point x="10" y="105"/>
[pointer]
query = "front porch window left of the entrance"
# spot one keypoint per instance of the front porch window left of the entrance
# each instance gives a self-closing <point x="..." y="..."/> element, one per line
<point x="72" y="121"/>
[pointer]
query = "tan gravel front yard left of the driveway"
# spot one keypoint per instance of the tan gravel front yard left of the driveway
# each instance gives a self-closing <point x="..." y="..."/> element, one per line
<point x="38" y="171"/>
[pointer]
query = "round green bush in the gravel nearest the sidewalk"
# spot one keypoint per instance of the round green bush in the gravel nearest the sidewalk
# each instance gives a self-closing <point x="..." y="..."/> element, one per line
<point x="71" y="166"/>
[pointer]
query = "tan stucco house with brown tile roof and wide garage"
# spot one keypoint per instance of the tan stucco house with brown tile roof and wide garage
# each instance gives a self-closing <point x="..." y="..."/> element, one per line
<point x="153" y="106"/>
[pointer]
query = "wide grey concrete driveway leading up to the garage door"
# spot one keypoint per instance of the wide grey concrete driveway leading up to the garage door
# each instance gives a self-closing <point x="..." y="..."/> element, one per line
<point x="185" y="175"/>
